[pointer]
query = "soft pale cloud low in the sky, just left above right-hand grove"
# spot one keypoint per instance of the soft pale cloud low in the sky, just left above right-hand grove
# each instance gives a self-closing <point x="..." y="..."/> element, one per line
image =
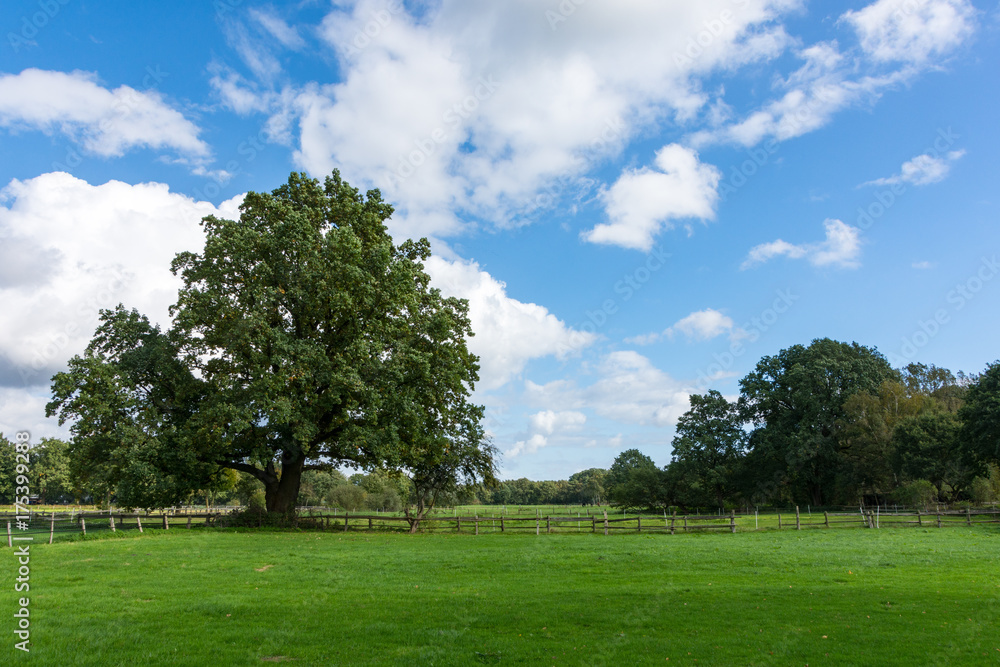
<point x="629" y="389"/>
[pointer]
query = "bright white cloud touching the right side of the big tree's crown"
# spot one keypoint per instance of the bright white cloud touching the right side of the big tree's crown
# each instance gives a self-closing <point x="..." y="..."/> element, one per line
<point x="509" y="333"/>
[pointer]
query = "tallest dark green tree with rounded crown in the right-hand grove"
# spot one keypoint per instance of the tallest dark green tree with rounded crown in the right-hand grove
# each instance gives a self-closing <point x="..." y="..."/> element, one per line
<point x="795" y="400"/>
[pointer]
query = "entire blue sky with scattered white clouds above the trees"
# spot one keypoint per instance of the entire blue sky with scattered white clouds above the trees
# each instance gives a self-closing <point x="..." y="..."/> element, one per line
<point x="639" y="198"/>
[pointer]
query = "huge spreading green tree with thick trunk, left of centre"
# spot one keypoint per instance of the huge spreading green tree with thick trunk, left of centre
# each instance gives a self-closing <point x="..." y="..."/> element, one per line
<point x="303" y="338"/>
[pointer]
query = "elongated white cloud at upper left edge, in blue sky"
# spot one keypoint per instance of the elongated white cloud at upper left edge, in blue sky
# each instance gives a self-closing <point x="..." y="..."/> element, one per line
<point x="105" y="122"/>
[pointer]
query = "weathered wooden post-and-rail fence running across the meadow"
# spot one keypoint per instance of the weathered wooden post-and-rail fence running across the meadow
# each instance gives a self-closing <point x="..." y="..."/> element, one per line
<point x="50" y="525"/>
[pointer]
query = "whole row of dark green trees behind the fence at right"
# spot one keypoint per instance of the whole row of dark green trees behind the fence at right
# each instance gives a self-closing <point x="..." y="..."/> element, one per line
<point x="827" y="424"/>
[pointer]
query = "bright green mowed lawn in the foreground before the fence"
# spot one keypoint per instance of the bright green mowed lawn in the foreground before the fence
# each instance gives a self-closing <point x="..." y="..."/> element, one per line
<point x="905" y="596"/>
